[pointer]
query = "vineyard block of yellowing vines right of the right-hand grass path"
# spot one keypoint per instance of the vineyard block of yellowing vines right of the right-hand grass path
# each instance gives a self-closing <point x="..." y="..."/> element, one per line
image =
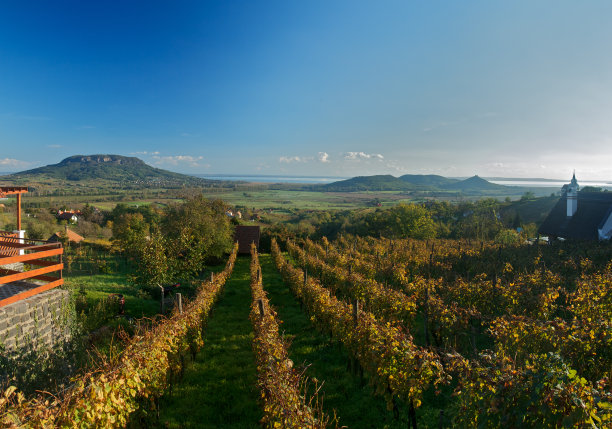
<point x="505" y="337"/>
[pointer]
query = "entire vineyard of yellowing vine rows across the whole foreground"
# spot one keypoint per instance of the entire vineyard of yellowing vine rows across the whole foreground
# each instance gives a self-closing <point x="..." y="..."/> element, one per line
<point x="438" y="333"/>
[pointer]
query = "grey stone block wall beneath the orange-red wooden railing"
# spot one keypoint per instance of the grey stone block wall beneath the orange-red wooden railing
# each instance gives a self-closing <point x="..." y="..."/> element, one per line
<point x="42" y="319"/>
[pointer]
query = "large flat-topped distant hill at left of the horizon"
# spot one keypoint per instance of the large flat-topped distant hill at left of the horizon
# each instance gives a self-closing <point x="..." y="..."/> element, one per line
<point x="109" y="168"/>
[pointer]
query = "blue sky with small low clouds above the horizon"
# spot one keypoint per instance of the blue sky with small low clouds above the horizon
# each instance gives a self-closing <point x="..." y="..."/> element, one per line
<point x="515" y="89"/>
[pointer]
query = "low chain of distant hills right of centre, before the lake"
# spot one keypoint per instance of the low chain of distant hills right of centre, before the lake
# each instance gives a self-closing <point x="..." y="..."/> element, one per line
<point x="419" y="182"/>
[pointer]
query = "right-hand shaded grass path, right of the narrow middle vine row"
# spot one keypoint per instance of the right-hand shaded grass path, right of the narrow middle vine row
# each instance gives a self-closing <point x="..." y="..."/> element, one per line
<point x="354" y="402"/>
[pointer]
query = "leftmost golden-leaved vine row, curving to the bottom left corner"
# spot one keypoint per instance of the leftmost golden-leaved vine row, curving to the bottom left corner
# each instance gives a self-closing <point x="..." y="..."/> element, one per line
<point x="111" y="396"/>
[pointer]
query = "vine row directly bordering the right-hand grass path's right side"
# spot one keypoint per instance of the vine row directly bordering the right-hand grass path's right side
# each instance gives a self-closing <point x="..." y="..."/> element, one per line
<point x="398" y="368"/>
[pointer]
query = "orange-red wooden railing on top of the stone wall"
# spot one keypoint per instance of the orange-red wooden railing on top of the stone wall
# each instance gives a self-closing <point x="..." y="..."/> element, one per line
<point x="44" y="258"/>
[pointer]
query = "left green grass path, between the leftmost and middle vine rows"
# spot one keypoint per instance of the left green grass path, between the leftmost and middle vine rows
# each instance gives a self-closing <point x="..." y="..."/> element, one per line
<point x="219" y="388"/>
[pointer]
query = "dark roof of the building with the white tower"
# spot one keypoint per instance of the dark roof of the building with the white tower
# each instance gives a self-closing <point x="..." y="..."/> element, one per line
<point x="593" y="209"/>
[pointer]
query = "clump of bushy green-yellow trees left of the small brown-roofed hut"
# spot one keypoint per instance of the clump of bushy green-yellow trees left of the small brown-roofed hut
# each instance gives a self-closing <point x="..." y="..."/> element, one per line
<point x="173" y="243"/>
